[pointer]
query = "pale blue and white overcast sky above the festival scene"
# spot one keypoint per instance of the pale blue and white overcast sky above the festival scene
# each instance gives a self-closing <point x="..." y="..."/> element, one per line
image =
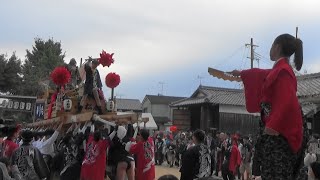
<point x="167" y="43"/>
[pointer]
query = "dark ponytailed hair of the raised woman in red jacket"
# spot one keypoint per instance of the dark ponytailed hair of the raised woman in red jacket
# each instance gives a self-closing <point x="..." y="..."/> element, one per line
<point x="289" y="45"/>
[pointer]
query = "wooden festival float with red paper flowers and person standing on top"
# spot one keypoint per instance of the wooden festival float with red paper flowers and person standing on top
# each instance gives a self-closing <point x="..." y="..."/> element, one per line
<point x="66" y="102"/>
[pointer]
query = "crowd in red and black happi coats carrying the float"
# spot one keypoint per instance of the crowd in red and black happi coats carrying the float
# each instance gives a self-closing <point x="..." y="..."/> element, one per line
<point x="90" y="152"/>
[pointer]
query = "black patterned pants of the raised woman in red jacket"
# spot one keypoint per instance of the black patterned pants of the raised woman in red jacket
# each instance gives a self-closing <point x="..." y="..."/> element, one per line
<point x="274" y="159"/>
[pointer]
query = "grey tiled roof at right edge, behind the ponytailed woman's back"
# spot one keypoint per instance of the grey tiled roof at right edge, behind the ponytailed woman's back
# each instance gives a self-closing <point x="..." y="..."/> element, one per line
<point x="309" y="85"/>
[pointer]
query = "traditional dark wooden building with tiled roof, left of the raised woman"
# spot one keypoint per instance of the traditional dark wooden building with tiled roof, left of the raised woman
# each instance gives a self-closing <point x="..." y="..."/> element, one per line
<point x="214" y="107"/>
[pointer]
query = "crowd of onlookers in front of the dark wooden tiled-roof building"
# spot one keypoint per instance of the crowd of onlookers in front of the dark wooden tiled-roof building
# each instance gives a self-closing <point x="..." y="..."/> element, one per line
<point x="224" y="154"/>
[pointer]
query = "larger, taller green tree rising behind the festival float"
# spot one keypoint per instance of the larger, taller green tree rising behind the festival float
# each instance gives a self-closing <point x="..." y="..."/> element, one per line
<point x="44" y="57"/>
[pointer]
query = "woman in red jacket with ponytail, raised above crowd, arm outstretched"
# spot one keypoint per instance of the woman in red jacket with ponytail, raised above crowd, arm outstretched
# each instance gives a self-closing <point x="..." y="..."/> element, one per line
<point x="272" y="92"/>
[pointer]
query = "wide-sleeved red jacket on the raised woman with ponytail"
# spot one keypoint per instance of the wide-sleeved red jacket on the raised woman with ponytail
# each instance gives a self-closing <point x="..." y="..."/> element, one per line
<point x="277" y="87"/>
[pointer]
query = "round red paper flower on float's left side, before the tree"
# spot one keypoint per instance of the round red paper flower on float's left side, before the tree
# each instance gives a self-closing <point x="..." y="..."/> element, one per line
<point x="60" y="76"/>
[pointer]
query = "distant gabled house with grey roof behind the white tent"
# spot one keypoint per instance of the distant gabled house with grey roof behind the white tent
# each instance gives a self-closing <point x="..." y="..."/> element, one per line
<point x="158" y="106"/>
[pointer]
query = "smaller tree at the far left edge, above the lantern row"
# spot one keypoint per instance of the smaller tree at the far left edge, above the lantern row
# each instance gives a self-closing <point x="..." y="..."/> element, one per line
<point x="10" y="70"/>
